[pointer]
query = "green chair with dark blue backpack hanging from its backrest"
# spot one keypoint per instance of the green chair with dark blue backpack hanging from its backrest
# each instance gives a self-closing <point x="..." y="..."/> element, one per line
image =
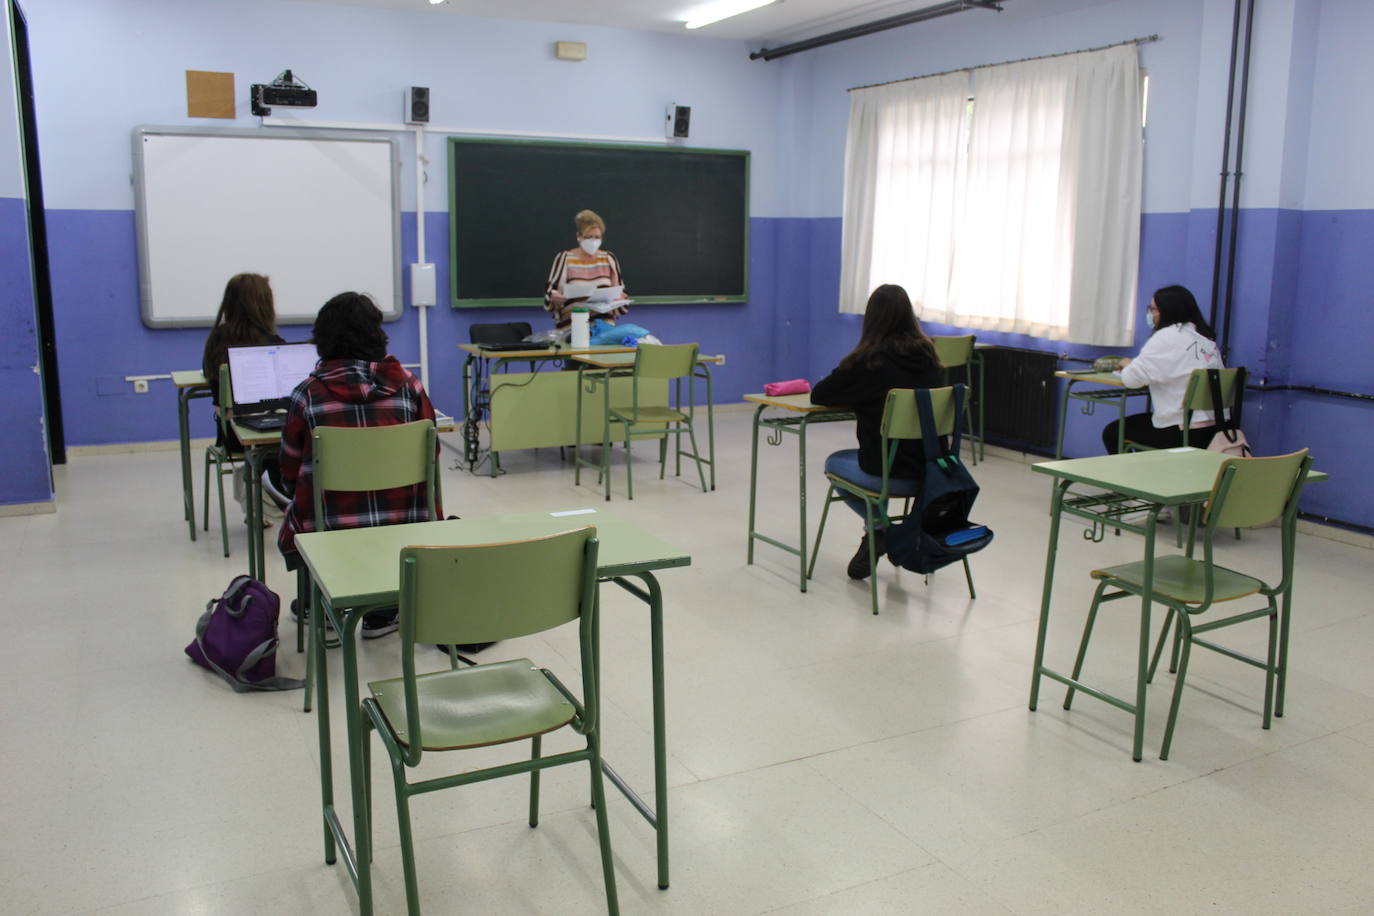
<point x="899" y="422"/>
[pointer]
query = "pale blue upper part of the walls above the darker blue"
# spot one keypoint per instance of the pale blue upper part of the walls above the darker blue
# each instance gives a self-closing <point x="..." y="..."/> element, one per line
<point x="105" y="67"/>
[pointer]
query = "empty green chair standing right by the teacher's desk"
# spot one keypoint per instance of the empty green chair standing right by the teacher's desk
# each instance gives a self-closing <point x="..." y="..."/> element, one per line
<point x="652" y="362"/>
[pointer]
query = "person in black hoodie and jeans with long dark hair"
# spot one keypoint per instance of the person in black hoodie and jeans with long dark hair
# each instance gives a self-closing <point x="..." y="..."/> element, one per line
<point x="892" y="354"/>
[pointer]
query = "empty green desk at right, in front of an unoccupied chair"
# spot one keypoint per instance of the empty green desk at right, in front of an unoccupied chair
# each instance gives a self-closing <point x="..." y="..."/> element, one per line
<point x="1130" y="483"/>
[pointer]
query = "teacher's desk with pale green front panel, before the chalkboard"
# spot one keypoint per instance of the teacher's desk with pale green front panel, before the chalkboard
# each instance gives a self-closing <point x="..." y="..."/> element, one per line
<point x="535" y="409"/>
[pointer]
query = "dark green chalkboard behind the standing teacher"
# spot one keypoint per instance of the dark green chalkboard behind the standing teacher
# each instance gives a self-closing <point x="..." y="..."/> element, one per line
<point x="677" y="219"/>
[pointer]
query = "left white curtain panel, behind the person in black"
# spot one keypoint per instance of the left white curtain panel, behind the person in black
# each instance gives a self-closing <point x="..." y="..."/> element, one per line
<point x="902" y="154"/>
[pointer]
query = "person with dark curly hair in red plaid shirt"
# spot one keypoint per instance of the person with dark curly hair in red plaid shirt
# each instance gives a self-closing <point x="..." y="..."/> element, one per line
<point x="355" y="384"/>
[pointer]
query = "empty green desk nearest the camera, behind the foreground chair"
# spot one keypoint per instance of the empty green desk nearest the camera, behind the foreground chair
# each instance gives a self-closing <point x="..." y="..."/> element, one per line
<point x="355" y="571"/>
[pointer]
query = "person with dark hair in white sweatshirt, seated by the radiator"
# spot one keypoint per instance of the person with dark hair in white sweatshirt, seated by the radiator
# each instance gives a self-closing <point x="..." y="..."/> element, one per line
<point x="1181" y="343"/>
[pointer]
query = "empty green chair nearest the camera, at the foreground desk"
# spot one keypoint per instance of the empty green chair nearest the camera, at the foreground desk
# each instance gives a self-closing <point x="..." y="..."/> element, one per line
<point x="480" y="594"/>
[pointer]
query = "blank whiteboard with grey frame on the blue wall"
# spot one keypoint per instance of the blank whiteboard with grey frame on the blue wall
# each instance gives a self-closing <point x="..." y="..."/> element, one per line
<point x="317" y="212"/>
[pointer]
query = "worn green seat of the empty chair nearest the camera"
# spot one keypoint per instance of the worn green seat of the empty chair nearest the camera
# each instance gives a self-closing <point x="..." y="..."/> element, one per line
<point x="476" y="707"/>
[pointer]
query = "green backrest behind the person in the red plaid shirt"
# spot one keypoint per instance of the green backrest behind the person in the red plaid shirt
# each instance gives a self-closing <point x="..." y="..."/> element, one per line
<point x="363" y="459"/>
